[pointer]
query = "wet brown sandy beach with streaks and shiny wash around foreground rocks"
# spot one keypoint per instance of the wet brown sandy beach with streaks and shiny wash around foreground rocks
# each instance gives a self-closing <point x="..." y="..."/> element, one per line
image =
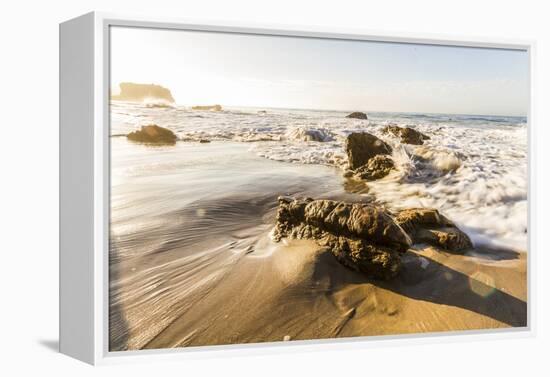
<point x="192" y="263"/>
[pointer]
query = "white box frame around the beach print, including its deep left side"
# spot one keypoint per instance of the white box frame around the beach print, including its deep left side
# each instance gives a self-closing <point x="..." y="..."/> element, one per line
<point x="84" y="189"/>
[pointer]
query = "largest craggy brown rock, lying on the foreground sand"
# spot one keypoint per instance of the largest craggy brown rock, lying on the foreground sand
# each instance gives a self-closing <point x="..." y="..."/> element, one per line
<point x="362" y="237"/>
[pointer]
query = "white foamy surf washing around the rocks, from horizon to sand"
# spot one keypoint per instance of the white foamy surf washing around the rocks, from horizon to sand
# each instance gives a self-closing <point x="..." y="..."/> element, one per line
<point x="473" y="169"/>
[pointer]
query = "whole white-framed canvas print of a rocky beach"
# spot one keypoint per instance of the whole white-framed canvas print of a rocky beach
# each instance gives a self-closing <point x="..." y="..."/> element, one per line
<point x="239" y="189"/>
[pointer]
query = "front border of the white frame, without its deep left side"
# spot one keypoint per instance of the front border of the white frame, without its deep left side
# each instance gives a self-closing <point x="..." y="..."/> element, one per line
<point x="102" y="22"/>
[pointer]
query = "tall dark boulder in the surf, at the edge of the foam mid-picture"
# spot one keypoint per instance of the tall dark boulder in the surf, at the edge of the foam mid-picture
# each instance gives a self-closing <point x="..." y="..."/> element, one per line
<point x="361" y="147"/>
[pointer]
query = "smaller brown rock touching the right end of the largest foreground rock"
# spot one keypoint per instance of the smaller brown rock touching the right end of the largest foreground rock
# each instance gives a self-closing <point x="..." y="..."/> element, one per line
<point x="426" y="225"/>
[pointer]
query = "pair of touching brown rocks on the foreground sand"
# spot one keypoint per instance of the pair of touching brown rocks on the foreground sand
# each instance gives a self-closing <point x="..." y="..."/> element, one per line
<point x="365" y="237"/>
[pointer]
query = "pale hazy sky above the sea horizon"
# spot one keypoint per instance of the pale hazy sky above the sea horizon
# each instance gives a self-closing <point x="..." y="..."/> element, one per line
<point x="265" y="71"/>
